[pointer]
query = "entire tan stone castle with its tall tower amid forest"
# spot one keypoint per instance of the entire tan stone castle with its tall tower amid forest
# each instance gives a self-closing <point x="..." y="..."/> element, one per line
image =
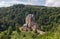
<point x="31" y="24"/>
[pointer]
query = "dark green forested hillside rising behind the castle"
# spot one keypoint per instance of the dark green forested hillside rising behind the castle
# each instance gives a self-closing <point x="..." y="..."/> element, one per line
<point x="16" y="14"/>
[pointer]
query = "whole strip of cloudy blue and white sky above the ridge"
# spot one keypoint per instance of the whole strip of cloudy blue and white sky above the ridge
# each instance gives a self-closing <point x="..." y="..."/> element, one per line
<point x="50" y="3"/>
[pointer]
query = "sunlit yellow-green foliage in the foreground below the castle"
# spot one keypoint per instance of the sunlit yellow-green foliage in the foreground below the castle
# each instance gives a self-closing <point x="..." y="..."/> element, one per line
<point x="31" y="35"/>
